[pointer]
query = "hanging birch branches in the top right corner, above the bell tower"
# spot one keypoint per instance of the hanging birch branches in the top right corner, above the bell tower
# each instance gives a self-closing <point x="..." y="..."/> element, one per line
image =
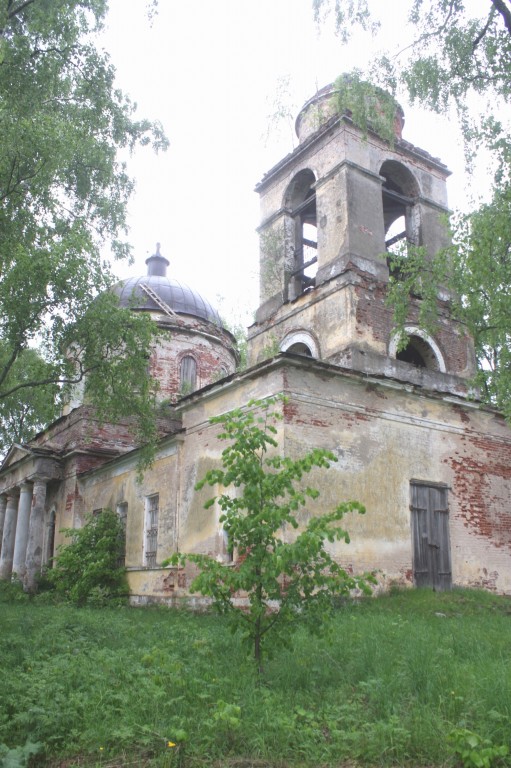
<point x="458" y="49"/>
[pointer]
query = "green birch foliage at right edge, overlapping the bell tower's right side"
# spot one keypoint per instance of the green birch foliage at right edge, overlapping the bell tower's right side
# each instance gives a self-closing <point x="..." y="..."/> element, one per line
<point x="477" y="270"/>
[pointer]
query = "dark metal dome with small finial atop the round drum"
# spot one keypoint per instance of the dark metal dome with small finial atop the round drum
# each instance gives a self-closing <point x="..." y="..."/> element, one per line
<point x="148" y="291"/>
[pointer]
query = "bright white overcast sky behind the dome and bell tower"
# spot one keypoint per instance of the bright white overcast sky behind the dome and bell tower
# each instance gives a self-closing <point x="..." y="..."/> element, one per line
<point x="210" y="71"/>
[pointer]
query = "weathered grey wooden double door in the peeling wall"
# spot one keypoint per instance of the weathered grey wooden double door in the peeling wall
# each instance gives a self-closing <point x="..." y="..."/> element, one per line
<point x="430" y="536"/>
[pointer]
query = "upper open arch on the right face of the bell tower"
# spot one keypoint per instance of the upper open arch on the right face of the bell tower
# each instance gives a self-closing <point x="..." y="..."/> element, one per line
<point x="400" y="214"/>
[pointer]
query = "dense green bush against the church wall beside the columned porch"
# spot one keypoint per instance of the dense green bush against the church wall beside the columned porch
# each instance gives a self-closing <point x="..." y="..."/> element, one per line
<point x="87" y="569"/>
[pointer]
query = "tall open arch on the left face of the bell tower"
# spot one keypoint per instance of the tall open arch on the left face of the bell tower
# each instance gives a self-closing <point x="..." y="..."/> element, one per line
<point x="300" y="199"/>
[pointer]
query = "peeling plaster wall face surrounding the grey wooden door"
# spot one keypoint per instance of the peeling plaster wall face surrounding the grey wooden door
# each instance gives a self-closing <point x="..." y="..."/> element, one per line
<point x="383" y="438"/>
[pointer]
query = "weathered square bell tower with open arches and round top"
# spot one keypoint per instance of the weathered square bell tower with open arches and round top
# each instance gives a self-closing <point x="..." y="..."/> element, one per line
<point x="331" y="212"/>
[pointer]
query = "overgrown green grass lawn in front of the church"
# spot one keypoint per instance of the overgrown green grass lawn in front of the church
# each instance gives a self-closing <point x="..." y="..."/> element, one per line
<point x="400" y="675"/>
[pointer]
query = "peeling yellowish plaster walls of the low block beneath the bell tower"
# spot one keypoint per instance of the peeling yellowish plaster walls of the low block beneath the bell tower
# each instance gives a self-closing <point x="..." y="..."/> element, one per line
<point x="384" y="436"/>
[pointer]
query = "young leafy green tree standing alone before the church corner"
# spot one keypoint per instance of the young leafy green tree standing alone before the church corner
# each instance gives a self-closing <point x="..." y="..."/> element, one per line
<point x="280" y="577"/>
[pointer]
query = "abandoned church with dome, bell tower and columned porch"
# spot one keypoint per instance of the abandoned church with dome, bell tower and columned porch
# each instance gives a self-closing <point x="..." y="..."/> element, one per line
<point x="431" y="464"/>
